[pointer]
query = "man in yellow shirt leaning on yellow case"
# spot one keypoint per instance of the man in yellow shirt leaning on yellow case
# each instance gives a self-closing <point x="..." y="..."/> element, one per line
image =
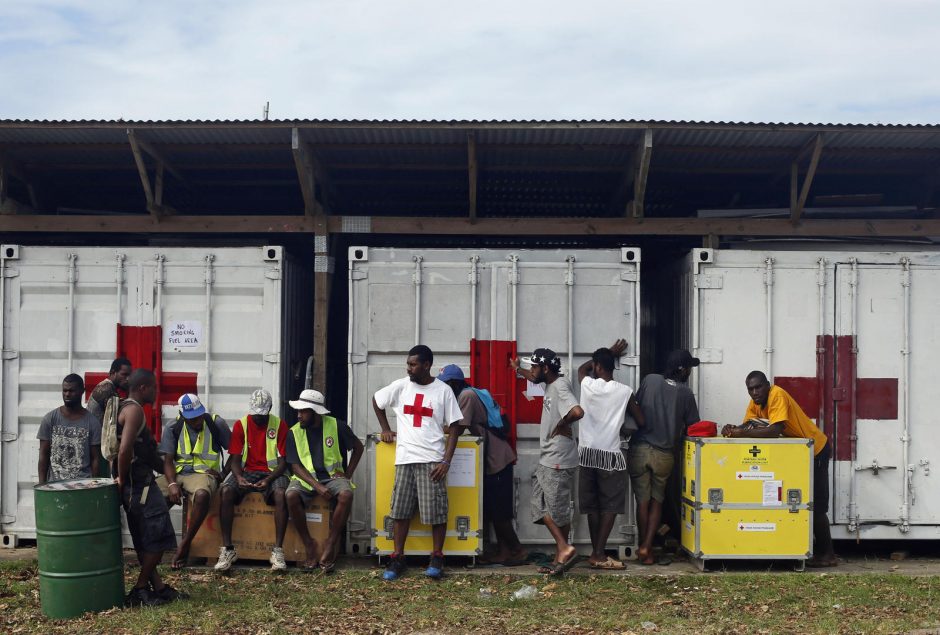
<point x="785" y="418"/>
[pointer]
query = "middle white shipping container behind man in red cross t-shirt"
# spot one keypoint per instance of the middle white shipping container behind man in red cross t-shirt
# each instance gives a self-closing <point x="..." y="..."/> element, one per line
<point x="573" y="301"/>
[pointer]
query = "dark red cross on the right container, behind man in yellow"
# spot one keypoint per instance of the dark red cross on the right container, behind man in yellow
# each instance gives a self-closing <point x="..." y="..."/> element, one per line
<point x="837" y="390"/>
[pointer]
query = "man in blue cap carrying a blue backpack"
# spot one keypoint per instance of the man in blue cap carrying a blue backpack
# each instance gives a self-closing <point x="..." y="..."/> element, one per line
<point x="482" y="415"/>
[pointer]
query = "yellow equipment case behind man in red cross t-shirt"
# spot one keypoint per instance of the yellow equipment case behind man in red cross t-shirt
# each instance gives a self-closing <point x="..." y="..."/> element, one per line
<point x="465" y="502"/>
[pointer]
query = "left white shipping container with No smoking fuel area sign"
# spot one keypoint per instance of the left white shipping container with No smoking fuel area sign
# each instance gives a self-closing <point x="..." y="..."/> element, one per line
<point x="60" y="311"/>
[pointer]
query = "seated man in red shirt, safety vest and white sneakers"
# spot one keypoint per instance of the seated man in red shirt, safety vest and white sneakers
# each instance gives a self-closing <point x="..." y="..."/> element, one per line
<point x="258" y="465"/>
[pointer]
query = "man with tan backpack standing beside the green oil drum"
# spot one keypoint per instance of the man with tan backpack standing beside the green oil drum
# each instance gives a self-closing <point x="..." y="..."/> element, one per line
<point x="135" y="459"/>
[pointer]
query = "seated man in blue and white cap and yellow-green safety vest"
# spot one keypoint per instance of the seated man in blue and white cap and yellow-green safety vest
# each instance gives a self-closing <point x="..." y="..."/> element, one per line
<point x="192" y="449"/>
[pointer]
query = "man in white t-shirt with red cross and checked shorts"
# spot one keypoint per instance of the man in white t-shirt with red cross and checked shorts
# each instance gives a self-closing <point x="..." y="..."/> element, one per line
<point x="424" y="406"/>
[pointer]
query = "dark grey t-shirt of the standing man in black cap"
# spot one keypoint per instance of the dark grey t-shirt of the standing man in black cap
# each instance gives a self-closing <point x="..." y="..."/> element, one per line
<point x="668" y="408"/>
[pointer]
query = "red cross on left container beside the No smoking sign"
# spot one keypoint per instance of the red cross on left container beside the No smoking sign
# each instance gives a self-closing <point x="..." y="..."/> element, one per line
<point x="143" y="346"/>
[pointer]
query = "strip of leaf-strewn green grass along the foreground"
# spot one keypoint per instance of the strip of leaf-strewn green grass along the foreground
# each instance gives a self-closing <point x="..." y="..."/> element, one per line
<point x="256" y="601"/>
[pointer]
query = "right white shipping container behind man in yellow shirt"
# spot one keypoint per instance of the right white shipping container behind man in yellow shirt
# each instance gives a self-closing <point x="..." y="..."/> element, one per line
<point x="851" y="335"/>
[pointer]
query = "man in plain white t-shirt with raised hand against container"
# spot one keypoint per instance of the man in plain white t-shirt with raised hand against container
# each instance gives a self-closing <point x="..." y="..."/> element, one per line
<point x="602" y="477"/>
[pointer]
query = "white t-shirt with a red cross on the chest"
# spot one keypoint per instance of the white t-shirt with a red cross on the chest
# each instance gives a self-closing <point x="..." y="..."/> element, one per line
<point x="421" y="412"/>
